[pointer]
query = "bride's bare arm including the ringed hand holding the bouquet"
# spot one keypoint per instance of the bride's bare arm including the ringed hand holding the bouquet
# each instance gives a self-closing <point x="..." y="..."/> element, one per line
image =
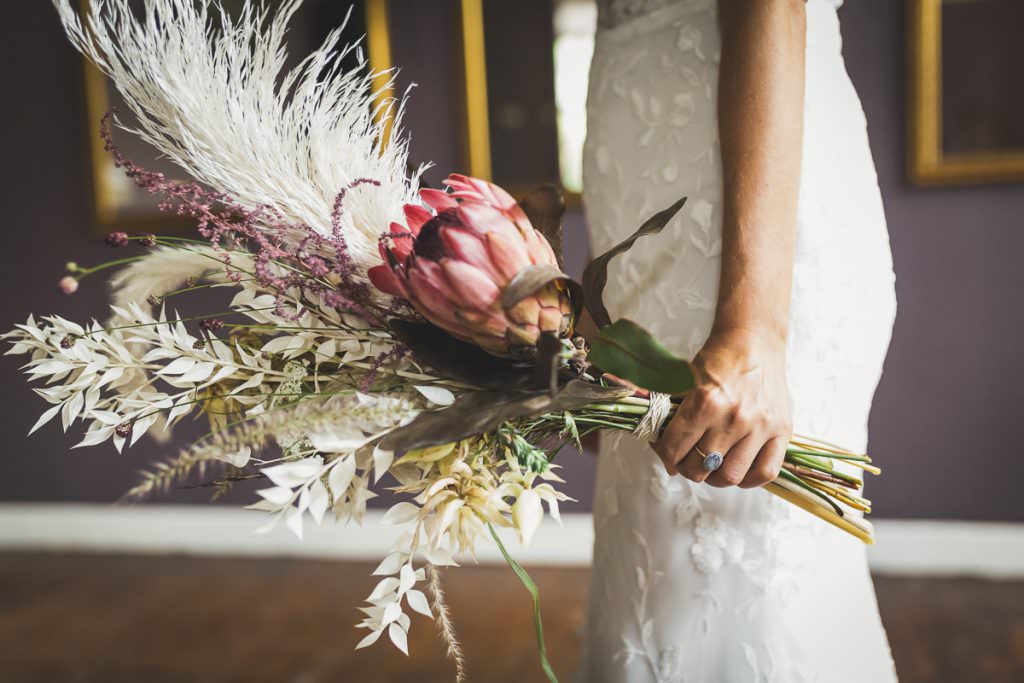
<point x="741" y="407"/>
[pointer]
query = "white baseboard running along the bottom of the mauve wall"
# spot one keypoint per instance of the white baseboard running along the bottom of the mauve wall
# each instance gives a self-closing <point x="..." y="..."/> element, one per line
<point x="905" y="547"/>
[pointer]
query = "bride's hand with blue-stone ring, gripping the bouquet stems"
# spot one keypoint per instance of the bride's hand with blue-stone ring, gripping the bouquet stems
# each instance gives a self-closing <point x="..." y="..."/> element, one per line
<point x="741" y="409"/>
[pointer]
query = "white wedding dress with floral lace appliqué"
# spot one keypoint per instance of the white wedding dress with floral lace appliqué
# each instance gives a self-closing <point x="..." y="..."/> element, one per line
<point x="691" y="583"/>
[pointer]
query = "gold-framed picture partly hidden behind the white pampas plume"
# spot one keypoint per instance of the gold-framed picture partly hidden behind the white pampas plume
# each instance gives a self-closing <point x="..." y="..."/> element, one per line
<point x="117" y="203"/>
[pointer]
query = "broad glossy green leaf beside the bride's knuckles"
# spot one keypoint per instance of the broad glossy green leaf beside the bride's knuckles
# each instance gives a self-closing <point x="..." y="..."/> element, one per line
<point x="630" y="353"/>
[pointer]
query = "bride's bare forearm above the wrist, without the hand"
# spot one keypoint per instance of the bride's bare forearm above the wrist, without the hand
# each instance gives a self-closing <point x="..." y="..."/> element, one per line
<point x="761" y="105"/>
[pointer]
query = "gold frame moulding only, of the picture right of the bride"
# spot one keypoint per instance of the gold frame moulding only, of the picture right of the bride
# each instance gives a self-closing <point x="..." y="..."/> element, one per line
<point x="928" y="163"/>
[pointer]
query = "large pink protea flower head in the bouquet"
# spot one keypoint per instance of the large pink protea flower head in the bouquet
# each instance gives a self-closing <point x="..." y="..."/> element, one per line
<point x="453" y="262"/>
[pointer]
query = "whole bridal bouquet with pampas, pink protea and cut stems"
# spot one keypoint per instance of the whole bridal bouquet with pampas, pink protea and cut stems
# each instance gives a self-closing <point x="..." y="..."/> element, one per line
<point x="373" y="333"/>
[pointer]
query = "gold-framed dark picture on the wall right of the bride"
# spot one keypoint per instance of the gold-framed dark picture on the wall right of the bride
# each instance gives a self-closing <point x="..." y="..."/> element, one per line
<point x="967" y="108"/>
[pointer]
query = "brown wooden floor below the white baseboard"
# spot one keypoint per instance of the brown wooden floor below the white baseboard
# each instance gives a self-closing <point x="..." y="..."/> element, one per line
<point x="86" y="619"/>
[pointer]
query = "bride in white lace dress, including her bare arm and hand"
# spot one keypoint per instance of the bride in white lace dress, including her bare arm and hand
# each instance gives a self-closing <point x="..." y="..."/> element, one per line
<point x="778" y="280"/>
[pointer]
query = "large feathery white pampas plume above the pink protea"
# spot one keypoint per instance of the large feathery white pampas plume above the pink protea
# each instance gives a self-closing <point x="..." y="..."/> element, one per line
<point x="211" y="93"/>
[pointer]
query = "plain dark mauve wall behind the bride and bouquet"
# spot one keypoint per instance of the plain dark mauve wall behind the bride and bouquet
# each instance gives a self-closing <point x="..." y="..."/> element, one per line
<point x="946" y="419"/>
